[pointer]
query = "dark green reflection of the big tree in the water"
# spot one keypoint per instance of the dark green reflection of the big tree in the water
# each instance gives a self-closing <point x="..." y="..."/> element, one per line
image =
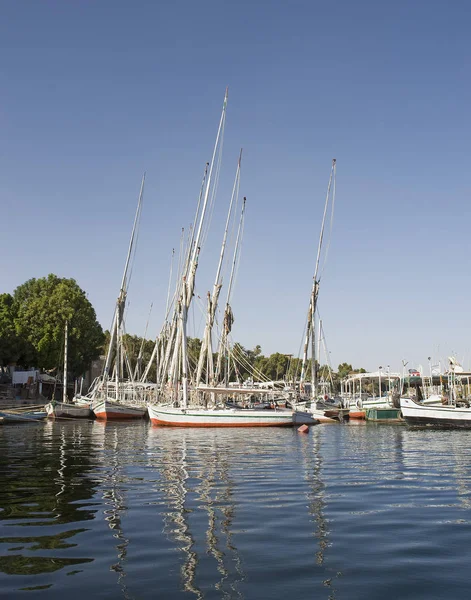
<point x="44" y="486"/>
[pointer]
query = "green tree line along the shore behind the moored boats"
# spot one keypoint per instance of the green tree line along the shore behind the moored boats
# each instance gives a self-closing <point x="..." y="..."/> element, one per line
<point x="32" y="323"/>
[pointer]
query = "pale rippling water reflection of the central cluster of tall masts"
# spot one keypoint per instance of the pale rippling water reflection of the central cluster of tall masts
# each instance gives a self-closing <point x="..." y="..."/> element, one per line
<point x="197" y="490"/>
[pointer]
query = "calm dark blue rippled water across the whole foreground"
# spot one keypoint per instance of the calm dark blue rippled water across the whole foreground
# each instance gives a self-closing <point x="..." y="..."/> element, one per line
<point x="132" y="511"/>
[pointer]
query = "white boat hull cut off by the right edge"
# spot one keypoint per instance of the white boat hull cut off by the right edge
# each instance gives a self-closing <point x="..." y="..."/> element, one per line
<point x="415" y="413"/>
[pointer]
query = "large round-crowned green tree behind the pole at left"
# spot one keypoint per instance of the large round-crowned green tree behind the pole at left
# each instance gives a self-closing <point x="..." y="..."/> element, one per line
<point x="42" y="307"/>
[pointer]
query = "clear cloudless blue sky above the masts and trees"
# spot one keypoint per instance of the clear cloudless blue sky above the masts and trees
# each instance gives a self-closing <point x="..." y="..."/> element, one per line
<point x="94" y="93"/>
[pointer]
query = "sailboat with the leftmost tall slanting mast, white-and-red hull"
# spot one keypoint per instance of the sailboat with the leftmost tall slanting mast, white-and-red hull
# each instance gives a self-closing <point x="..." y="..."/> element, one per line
<point x="116" y="397"/>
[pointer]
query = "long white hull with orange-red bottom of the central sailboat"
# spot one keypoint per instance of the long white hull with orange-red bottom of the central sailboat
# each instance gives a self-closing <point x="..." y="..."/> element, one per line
<point x="227" y="417"/>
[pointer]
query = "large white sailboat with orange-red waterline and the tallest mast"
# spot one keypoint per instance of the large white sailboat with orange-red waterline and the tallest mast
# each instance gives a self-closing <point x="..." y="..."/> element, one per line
<point x="204" y="404"/>
